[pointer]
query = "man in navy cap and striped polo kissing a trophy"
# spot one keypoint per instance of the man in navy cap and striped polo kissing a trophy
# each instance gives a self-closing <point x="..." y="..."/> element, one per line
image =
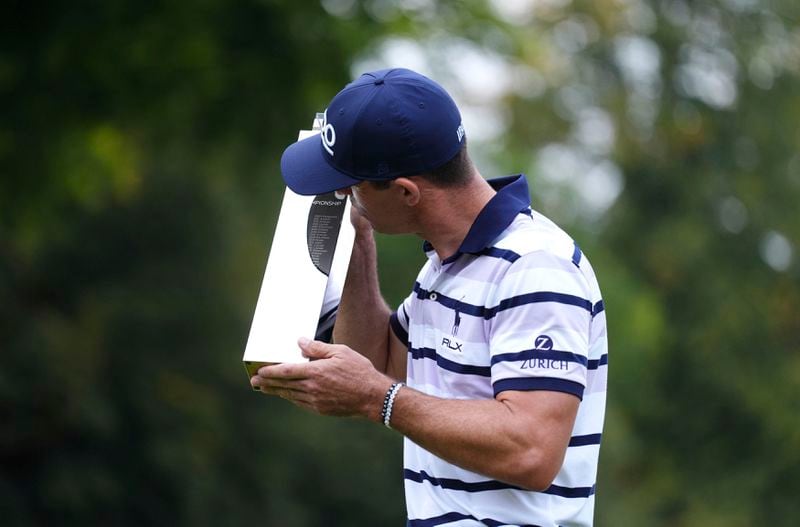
<point x="501" y="344"/>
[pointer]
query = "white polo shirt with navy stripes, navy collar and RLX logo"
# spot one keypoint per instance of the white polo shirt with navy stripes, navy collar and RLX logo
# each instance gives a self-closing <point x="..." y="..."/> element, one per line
<point x="516" y="308"/>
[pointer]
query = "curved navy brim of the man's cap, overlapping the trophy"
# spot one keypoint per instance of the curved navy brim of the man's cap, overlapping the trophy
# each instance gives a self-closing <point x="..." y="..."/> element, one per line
<point x="306" y="171"/>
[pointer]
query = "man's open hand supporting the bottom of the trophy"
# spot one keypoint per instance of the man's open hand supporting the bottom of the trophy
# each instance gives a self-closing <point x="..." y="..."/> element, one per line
<point x="337" y="381"/>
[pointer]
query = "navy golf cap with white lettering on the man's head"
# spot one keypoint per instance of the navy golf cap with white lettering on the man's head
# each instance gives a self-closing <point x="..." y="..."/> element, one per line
<point x="384" y="125"/>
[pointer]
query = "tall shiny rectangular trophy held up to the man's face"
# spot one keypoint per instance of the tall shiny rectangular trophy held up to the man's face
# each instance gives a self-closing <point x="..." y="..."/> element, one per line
<point x="305" y="273"/>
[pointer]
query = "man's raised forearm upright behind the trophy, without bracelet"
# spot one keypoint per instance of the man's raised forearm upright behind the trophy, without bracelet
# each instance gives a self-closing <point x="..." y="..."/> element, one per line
<point x="362" y="320"/>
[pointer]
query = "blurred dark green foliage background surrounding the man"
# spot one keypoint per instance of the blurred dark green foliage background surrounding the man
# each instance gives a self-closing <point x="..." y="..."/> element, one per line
<point x="139" y="188"/>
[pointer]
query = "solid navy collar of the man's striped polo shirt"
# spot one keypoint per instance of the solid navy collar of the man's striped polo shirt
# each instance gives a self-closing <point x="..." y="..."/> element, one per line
<point x="512" y="197"/>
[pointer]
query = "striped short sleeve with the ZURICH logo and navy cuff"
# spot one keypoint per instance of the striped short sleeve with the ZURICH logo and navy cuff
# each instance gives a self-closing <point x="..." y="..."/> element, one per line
<point x="538" y="326"/>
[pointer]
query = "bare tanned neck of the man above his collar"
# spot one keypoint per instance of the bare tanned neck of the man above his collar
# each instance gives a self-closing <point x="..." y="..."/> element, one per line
<point x="450" y="213"/>
